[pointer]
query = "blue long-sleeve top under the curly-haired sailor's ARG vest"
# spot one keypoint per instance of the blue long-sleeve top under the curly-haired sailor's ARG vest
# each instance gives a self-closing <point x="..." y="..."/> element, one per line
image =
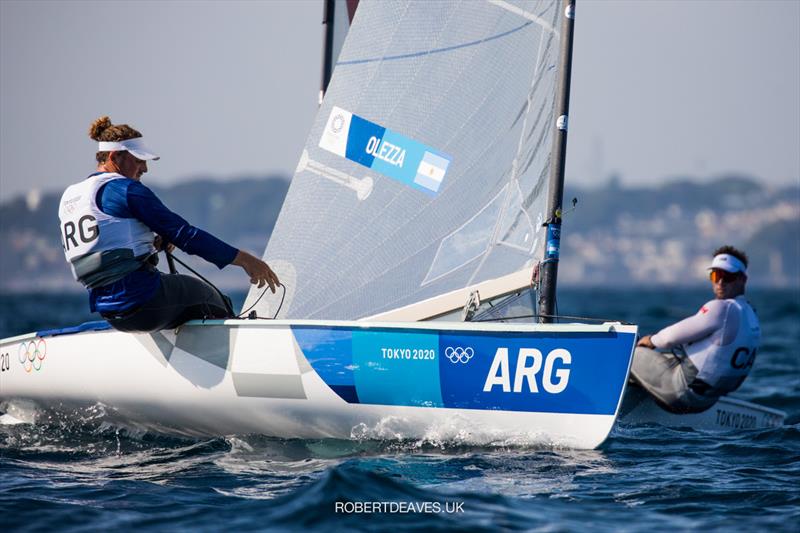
<point x="126" y="198"/>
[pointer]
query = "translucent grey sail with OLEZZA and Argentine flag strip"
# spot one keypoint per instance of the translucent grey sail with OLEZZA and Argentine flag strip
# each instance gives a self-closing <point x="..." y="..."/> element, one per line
<point x="426" y="168"/>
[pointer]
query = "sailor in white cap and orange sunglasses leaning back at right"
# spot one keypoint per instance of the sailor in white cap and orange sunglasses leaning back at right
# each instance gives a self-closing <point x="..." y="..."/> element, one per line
<point x="708" y="354"/>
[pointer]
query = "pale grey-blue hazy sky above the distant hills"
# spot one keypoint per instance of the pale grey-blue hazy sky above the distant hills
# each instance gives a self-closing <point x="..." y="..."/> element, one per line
<point x="660" y="89"/>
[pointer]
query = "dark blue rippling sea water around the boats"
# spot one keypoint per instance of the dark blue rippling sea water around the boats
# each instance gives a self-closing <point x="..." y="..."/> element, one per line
<point x="79" y="473"/>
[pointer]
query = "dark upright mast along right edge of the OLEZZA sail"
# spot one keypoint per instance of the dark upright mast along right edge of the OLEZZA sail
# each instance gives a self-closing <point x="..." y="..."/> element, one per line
<point x="549" y="267"/>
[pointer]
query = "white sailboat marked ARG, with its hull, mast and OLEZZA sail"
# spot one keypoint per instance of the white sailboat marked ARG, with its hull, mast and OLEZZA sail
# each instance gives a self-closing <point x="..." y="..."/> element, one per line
<point x="418" y="246"/>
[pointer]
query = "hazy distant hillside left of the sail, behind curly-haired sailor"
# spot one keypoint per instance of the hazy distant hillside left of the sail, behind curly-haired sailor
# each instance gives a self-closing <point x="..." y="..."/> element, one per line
<point x="240" y="211"/>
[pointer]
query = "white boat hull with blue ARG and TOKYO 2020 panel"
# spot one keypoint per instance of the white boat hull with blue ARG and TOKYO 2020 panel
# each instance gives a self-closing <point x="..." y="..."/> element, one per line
<point x="553" y="384"/>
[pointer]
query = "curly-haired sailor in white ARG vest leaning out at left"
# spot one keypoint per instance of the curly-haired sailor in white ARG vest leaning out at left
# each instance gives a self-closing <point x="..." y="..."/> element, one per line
<point x="112" y="226"/>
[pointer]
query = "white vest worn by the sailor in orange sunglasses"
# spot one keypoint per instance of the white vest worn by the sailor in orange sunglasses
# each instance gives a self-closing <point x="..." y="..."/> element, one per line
<point x="725" y="366"/>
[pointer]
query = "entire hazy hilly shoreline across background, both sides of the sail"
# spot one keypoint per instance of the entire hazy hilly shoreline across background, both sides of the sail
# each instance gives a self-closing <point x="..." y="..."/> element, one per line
<point x="616" y="236"/>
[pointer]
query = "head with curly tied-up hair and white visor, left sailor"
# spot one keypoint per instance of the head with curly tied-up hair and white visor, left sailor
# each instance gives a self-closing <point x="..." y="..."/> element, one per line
<point x="120" y="149"/>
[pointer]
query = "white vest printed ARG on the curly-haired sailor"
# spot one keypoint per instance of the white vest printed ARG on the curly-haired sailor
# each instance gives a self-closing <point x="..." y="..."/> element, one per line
<point x="100" y="247"/>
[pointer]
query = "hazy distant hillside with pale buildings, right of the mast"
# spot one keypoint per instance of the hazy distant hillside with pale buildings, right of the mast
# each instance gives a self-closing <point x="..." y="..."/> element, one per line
<point x="664" y="235"/>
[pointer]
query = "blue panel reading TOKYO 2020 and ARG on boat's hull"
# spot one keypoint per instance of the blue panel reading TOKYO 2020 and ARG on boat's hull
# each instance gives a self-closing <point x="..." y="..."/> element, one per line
<point x="577" y="373"/>
